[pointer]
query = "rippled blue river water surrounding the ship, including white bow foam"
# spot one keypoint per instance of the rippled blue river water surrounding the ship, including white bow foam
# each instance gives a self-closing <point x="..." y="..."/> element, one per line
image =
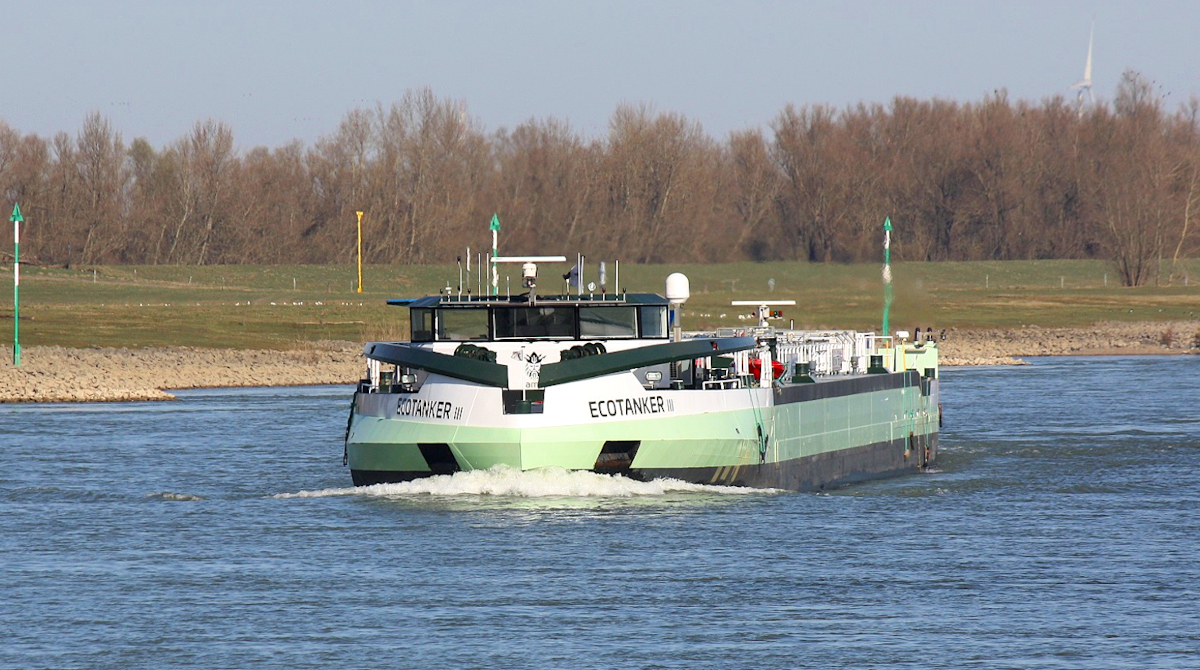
<point x="1060" y="530"/>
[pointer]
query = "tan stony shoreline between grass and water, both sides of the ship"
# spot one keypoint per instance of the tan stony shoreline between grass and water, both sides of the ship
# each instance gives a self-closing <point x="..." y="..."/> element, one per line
<point x="67" y="375"/>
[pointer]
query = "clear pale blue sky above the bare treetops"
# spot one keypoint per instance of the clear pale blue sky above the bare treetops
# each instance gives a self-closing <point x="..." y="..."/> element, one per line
<point x="283" y="70"/>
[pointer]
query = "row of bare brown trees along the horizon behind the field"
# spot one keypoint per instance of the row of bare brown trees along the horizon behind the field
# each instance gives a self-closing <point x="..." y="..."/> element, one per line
<point x="993" y="180"/>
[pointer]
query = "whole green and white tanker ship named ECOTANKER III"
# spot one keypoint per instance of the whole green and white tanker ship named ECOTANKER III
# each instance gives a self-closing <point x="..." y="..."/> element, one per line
<point x="611" y="384"/>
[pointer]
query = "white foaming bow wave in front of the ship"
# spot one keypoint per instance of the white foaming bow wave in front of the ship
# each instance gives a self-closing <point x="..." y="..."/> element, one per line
<point x="551" y="482"/>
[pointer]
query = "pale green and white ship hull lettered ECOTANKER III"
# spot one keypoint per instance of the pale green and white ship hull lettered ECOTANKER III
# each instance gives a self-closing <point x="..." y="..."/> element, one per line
<point x="799" y="438"/>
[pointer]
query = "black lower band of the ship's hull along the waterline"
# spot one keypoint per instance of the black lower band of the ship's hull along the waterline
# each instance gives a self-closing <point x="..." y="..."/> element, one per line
<point x="808" y="474"/>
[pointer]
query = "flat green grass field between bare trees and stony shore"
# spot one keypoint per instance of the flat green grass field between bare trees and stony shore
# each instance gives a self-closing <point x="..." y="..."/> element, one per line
<point x="286" y="307"/>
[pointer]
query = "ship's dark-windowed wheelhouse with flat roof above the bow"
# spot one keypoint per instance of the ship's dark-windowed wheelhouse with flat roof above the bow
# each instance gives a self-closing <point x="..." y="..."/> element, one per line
<point x="634" y="316"/>
